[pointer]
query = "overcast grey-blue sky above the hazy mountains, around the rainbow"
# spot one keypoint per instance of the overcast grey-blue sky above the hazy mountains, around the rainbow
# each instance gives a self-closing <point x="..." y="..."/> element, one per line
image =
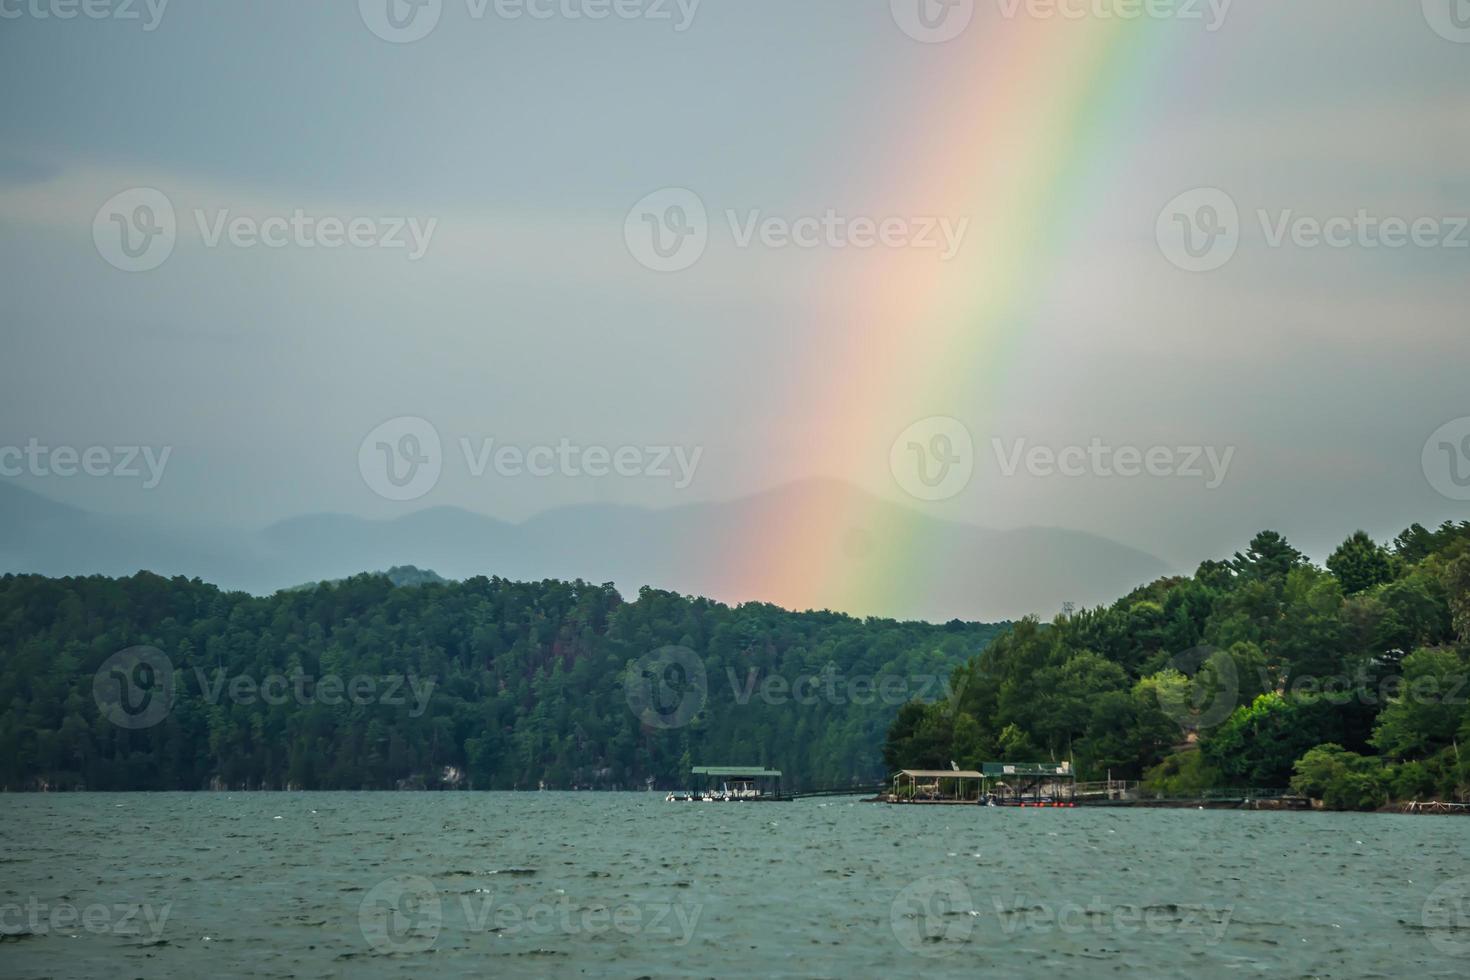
<point x="520" y="148"/>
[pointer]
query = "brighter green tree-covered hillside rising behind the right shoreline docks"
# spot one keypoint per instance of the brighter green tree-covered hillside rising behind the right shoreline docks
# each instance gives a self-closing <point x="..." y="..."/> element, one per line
<point x="1349" y="682"/>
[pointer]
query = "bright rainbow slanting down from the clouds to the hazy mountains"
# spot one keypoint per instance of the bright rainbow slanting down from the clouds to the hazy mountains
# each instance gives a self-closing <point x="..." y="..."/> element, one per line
<point x="1021" y="126"/>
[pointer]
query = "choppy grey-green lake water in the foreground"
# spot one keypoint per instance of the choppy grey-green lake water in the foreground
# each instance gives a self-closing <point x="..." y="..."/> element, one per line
<point x="414" y="885"/>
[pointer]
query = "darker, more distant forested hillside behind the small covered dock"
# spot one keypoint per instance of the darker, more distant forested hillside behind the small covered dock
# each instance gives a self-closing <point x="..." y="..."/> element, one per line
<point x="483" y="684"/>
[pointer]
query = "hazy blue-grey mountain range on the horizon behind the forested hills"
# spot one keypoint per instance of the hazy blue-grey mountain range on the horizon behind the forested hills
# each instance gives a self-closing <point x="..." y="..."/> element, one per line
<point x="730" y="550"/>
